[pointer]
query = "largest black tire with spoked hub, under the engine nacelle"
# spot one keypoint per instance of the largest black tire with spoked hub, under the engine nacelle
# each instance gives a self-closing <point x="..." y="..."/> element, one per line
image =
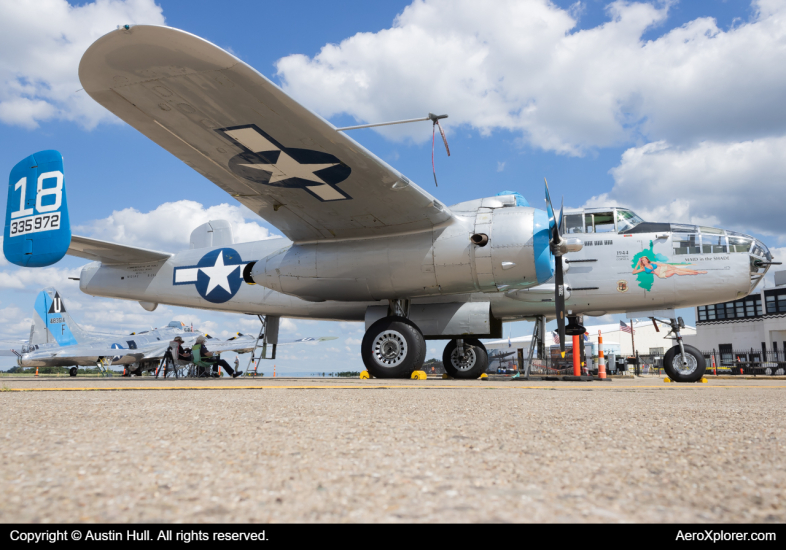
<point x="392" y="348"/>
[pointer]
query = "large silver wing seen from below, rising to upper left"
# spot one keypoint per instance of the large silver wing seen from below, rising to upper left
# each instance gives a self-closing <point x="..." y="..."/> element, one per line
<point x="242" y="132"/>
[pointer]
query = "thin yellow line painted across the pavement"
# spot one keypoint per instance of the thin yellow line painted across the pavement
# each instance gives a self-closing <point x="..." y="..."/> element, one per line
<point x="392" y="386"/>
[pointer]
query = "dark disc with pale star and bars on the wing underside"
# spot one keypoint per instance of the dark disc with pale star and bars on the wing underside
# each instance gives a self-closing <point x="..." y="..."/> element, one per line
<point x="267" y="162"/>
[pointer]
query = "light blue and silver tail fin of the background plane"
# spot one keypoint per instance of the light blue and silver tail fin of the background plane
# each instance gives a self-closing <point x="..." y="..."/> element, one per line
<point x="52" y="322"/>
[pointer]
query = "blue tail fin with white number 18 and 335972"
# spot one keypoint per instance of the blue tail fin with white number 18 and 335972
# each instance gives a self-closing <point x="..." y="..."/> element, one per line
<point x="37" y="230"/>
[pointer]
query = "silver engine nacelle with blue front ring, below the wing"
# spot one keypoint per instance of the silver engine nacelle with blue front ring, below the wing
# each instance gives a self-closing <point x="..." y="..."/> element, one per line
<point x="493" y="250"/>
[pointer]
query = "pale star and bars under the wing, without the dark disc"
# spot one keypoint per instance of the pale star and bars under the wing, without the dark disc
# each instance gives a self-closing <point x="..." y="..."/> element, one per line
<point x="286" y="167"/>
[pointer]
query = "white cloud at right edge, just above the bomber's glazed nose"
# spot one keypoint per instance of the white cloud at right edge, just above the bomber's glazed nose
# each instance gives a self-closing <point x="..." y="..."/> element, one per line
<point x="734" y="185"/>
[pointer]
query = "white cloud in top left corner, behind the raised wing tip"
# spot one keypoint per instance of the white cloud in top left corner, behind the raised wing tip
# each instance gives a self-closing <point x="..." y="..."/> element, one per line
<point x="42" y="43"/>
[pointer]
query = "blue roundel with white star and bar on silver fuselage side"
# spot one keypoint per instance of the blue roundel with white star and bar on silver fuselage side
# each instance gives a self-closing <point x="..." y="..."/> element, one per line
<point x="217" y="276"/>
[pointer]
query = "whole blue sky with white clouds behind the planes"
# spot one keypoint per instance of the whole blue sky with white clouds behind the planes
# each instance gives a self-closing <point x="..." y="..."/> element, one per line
<point x="671" y="108"/>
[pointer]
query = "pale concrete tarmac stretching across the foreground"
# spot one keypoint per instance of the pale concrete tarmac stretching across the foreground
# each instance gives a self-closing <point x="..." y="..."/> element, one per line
<point x="349" y="450"/>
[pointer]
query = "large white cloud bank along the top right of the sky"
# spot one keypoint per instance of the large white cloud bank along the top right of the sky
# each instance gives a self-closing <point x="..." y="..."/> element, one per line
<point x="519" y="66"/>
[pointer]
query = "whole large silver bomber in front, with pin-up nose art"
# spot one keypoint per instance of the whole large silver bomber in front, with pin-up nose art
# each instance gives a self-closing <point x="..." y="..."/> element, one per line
<point x="363" y="241"/>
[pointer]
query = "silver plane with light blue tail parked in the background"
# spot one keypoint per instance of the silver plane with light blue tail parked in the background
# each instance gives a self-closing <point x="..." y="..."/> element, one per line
<point x="56" y="340"/>
